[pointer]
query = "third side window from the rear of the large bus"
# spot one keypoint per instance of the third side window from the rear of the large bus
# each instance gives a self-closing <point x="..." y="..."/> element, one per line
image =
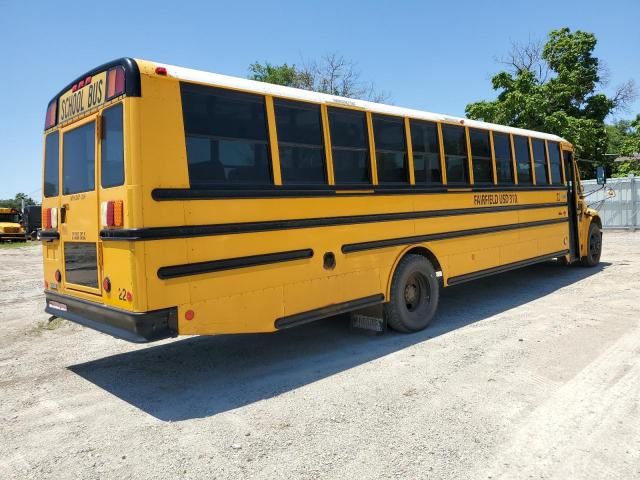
<point x="349" y="146"/>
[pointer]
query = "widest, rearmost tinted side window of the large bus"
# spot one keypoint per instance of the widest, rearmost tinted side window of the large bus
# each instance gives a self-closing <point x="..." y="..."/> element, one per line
<point x="226" y="137"/>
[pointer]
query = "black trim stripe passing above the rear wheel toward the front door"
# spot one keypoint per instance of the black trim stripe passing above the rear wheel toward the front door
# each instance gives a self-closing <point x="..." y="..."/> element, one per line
<point x="393" y="242"/>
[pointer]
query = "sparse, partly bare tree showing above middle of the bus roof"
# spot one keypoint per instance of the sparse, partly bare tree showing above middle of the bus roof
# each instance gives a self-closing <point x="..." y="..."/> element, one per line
<point x="332" y="74"/>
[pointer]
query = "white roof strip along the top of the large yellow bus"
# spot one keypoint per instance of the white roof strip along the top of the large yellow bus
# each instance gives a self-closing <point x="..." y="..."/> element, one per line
<point x="215" y="79"/>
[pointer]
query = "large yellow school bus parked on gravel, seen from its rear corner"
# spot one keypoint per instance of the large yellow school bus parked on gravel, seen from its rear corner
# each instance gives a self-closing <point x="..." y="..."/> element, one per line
<point x="181" y="202"/>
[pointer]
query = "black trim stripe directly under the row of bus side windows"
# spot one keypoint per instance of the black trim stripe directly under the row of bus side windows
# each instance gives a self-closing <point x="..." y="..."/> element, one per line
<point x="270" y="191"/>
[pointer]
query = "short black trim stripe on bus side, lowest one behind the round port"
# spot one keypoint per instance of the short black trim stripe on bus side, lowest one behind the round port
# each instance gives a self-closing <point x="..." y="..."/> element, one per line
<point x="186" y="269"/>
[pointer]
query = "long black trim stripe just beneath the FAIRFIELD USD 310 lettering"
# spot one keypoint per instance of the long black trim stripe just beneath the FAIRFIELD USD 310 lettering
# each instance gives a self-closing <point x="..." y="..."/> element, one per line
<point x="158" y="233"/>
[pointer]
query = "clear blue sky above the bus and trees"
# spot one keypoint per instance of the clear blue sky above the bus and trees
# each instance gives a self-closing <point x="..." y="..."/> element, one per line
<point x="435" y="56"/>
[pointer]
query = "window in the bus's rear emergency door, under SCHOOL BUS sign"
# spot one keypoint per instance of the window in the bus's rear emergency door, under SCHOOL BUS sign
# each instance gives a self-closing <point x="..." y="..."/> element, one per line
<point x="78" y="159"/>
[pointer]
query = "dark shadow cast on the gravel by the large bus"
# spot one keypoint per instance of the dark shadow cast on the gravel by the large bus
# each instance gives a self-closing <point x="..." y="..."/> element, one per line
<point x="203" y="376"/>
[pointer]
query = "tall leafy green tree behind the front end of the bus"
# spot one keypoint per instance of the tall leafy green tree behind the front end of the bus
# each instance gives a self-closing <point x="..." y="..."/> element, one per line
<point x="555" y="88"/>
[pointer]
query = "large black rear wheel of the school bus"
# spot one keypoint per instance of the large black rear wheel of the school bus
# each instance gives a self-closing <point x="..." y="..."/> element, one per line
<point x="414" y="295"/>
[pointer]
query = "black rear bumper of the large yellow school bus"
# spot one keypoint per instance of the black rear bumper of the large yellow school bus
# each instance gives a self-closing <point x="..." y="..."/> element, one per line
<point x="131" y="326"/>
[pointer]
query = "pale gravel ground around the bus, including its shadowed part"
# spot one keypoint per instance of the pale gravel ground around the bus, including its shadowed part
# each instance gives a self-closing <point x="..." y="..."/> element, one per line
<point x="528" y="374"/>
